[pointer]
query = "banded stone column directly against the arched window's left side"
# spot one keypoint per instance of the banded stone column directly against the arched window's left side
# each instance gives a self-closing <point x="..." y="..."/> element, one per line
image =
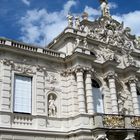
<point x="89" y="94"/>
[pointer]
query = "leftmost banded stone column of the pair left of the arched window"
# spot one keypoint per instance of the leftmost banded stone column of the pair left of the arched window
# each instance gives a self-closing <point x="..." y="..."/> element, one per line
<point x="80" y="88"/>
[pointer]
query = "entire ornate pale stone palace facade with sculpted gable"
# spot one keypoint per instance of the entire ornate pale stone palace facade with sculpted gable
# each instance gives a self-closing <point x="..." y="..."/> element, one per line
<point x="85" y="85"/>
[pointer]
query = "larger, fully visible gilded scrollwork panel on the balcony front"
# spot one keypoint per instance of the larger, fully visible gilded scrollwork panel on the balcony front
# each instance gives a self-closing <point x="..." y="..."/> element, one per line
<point x="113" y="121"/>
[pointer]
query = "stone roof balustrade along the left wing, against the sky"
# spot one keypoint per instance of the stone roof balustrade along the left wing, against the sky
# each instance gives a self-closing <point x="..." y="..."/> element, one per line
<point x="31" y="48"/>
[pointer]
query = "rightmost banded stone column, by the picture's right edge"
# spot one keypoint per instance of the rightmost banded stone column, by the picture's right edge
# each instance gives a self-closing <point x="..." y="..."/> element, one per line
<point x="133" y="89"/>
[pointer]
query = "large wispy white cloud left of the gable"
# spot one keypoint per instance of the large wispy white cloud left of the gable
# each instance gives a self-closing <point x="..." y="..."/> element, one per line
<point x="40" y="26"/>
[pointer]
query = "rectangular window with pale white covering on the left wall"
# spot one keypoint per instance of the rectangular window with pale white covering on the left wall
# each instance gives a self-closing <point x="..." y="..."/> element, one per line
<point x="22" y="94"/>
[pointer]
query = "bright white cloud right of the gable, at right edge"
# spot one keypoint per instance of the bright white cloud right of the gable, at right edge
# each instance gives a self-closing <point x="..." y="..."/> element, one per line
<point x="131" y="20"/>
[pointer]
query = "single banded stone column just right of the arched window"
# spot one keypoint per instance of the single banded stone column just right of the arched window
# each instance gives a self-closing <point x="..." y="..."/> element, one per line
<point x="112" y="87"/>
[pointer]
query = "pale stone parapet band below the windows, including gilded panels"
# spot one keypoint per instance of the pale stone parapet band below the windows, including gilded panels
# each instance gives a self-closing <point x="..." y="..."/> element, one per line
<point x="109" y="121"/>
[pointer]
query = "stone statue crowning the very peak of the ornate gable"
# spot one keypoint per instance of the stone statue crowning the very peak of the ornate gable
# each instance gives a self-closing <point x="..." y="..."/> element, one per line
<point x="105" y="8"/>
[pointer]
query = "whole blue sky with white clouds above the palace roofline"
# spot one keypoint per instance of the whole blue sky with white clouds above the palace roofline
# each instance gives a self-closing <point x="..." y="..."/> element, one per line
<point x="39" y="21"/>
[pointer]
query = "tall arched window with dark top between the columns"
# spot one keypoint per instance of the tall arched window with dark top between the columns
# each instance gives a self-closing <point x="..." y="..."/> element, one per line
<point x="97" y="97"/>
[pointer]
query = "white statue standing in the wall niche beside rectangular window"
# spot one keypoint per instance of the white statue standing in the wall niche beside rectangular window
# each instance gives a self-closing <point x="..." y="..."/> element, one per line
<point x="52" y="106"/>
